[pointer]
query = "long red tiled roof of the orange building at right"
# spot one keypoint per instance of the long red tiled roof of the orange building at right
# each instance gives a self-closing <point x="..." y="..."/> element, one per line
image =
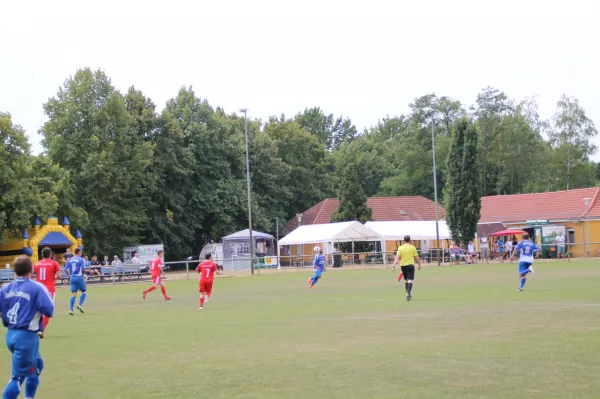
<point x="540" y="206"/>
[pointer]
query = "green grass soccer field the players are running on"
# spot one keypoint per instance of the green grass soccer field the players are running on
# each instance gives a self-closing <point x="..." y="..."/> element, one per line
<point x="467" y="334"/>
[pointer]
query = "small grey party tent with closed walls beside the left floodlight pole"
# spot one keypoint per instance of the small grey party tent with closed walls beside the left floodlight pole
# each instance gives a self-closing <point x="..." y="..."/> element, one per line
<point x="236" y="248"/>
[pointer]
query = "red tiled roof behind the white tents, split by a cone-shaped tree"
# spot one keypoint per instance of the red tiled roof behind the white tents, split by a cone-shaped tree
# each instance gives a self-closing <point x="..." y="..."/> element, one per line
<point x="383" y="209"/>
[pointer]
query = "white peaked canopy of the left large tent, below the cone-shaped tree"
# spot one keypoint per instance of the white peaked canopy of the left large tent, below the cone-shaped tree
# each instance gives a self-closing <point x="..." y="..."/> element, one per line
<point x="330" y="232"/>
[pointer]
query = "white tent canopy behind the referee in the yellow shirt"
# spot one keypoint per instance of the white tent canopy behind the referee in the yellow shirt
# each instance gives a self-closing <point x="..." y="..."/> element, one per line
<point x="417" y="230"/>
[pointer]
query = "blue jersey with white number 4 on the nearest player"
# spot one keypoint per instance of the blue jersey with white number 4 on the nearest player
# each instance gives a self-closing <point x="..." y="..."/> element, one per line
<point x="23" y="303"/>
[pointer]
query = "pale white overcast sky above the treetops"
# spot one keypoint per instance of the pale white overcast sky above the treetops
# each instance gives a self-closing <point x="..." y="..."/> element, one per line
<point x="362" y="59"/>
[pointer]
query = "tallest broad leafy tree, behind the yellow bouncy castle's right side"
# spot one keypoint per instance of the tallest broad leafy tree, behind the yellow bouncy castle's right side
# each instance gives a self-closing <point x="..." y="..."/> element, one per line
<point x="91" y="134"/>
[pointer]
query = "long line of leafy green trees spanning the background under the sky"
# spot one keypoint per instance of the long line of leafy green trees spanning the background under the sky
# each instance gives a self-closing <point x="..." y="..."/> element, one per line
<point x="125" y="173"/>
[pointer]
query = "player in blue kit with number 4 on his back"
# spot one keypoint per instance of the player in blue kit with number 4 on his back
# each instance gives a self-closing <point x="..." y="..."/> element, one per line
<point x="22" y="304"/>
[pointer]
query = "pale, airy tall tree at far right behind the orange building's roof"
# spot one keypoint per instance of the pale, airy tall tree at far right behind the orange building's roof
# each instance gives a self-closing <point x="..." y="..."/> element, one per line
<point x="571" y="136"/>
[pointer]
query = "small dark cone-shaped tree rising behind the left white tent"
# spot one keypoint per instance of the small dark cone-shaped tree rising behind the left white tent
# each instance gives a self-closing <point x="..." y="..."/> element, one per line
<point x="353" y="200"/>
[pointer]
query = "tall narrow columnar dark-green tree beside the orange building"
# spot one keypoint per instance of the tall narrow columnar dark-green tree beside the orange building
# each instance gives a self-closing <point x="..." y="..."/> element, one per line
<point x="462" y="192"/>
